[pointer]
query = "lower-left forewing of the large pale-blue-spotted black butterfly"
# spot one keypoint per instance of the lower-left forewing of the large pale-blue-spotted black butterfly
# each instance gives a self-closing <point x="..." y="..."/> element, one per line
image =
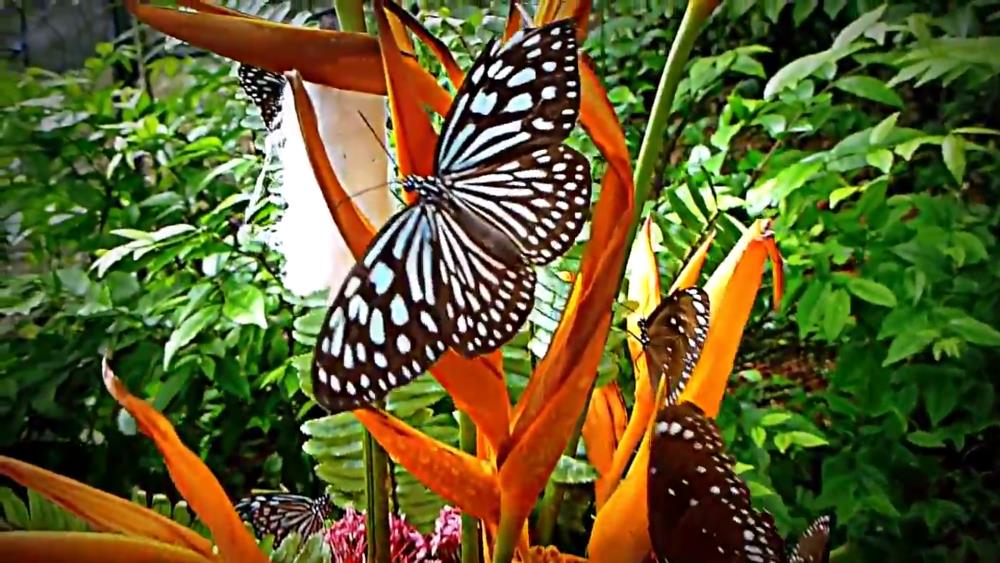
<point x="386" y="325"/>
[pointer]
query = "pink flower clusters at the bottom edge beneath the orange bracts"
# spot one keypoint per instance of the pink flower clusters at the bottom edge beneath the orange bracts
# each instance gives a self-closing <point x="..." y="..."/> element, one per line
<point x="346" y="538"/>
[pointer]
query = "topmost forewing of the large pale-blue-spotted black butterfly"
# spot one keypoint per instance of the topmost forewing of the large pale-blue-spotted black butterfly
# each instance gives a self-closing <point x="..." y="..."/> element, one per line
<point x="517" y="97"/>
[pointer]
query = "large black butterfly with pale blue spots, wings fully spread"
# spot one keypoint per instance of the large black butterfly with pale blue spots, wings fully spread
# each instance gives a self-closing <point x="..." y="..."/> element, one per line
<point x="456" y="268"/>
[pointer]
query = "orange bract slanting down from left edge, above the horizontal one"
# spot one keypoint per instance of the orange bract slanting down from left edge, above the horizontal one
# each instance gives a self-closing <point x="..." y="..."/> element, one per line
<point x="103" y="511"/>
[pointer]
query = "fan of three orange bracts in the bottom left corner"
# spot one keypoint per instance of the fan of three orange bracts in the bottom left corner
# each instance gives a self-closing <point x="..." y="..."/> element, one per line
<point x="137" y="533"/>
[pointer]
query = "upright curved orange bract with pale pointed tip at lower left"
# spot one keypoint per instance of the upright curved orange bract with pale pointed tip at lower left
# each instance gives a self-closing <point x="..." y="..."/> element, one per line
<point x="191" y="476"/>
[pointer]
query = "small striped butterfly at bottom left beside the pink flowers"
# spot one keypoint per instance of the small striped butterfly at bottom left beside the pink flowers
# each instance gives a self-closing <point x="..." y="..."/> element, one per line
<point x="280" y="514"/>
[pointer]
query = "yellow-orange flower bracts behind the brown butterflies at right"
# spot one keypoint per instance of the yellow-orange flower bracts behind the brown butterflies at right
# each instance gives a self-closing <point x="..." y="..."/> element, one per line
<point x="732" y="289"/>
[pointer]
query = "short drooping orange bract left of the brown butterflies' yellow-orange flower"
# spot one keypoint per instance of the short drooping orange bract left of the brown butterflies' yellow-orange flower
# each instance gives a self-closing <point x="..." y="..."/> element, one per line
<point x="602" y="430"/>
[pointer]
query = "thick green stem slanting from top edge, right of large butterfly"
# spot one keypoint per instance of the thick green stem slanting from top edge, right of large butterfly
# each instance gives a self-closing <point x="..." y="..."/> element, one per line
<point x="652" y="142"/>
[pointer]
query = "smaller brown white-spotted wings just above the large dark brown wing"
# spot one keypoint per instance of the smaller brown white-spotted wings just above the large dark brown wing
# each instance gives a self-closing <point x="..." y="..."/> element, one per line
<point x="676" y="331"/>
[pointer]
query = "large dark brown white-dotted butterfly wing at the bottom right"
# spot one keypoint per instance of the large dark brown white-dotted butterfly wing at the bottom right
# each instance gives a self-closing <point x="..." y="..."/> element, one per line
<point x="699" y="509"/>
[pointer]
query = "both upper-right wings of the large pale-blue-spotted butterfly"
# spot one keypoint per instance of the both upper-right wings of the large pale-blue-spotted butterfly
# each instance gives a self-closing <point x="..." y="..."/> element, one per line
<point x="500" y="149"/>
